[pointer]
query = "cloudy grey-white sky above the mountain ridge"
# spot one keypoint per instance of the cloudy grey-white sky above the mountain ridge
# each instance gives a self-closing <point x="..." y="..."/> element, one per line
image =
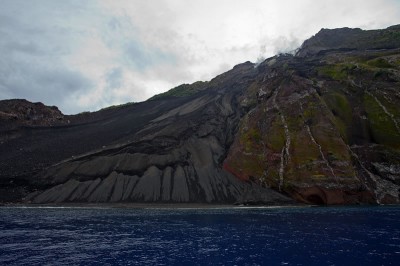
<point x="87" y="55"/>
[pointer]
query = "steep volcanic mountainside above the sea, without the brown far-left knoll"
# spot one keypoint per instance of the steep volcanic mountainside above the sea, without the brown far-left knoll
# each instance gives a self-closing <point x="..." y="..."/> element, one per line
<point x="322" y="127"/>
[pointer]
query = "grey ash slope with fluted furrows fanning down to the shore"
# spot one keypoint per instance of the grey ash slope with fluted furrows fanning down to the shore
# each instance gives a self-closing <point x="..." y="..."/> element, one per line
<point x="175" y="155"/>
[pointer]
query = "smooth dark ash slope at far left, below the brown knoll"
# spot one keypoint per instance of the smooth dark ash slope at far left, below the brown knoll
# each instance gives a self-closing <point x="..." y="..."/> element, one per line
<point x="29" y="149"/>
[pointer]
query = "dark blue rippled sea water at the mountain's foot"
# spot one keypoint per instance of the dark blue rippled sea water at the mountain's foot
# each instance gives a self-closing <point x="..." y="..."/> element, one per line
<point x="283" y="236"/>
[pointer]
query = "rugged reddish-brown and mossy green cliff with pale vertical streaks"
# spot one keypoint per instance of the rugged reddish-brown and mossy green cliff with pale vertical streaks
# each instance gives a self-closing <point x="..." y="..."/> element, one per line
<point x="324" y="126"/>
